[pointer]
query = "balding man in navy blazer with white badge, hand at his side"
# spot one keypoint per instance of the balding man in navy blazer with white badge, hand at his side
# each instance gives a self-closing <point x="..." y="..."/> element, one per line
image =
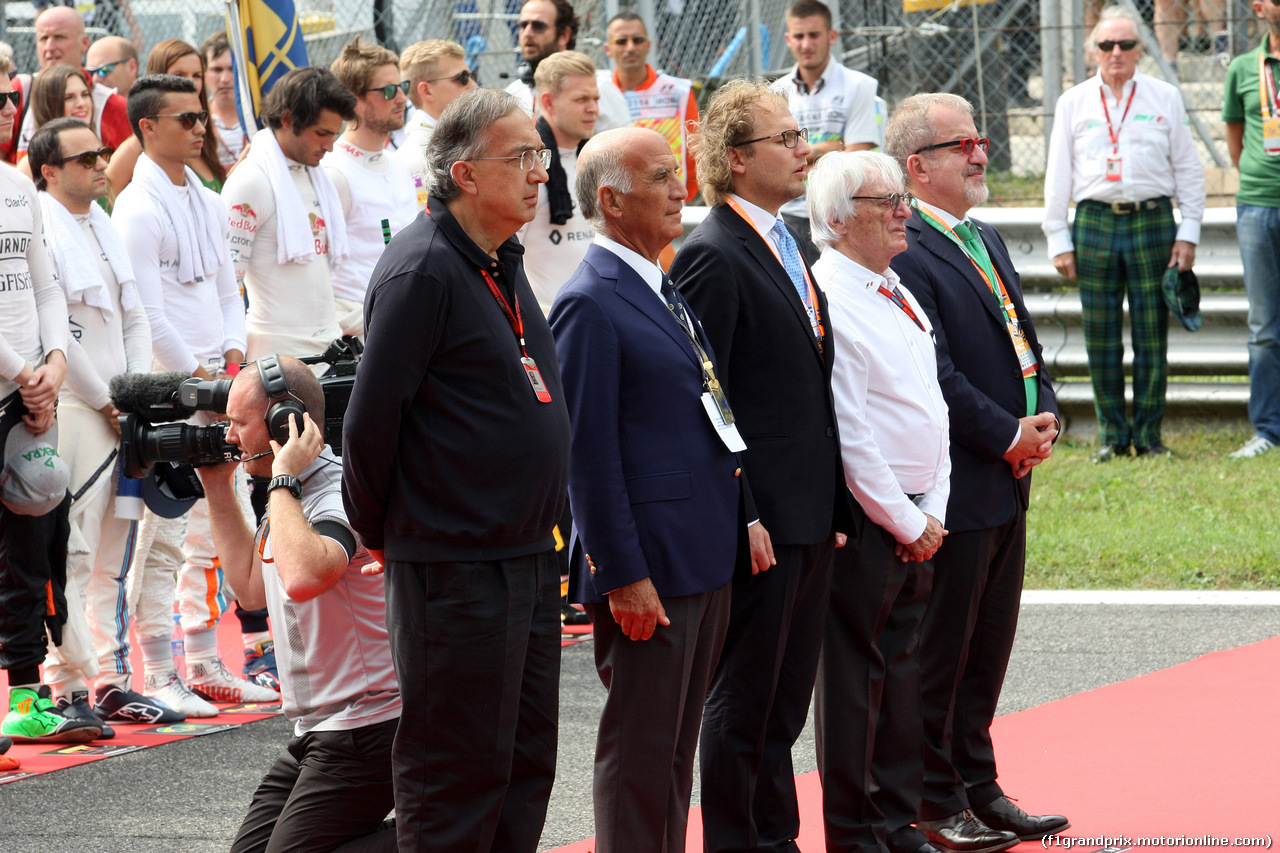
<point x="659" y="523"/>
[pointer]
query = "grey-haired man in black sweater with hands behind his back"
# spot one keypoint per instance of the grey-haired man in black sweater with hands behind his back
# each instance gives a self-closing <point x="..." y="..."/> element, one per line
<point x="455" y="475"/>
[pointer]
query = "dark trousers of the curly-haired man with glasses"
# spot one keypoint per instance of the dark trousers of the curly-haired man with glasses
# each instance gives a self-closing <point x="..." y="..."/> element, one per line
<point x="760" y="703"/>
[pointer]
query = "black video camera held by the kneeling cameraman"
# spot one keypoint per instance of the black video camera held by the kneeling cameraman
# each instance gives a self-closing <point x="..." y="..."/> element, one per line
<point x="152" y="400"/>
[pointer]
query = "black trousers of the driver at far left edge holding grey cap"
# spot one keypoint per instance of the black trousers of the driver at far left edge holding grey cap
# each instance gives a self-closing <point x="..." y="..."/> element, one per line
<point x="33" y="576"/>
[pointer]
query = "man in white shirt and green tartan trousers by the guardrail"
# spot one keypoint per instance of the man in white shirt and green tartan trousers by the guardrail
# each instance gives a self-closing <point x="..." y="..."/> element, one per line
<point x="1122" y="150"/>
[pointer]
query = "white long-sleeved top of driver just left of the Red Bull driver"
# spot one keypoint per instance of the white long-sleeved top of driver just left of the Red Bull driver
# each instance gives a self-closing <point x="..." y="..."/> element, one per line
<point x="193" y="323"/>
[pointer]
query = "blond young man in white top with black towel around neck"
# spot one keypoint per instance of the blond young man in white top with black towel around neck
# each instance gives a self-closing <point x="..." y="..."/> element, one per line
<point x="560" y="235"/>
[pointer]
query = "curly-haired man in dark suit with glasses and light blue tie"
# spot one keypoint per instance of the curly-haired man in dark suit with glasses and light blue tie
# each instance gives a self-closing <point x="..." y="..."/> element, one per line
<point x="766" y="318"/>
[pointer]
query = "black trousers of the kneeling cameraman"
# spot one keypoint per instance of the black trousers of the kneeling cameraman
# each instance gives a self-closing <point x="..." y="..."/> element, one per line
<point x="328" y="791"/>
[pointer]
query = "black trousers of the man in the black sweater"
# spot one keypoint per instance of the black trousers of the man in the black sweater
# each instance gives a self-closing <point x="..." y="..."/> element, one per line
<point x="477" y="650"/>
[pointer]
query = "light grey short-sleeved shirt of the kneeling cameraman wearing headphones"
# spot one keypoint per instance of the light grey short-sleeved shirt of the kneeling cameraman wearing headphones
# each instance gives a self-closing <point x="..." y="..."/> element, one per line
<point x="333" y="653"/>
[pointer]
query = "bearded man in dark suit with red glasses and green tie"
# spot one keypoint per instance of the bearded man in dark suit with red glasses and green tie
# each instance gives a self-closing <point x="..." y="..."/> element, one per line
<point x="1004" y="421"/>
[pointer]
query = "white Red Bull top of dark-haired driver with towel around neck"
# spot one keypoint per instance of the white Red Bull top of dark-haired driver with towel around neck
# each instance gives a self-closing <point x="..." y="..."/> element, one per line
<point x="291" y="309"/>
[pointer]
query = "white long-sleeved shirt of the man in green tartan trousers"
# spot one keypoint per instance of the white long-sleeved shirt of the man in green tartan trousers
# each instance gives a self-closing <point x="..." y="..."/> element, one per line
<point x="1155" y="145"/>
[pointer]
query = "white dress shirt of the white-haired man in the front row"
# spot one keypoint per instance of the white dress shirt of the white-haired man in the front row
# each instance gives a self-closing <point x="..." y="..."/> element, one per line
<point x="894" y="428"/>
